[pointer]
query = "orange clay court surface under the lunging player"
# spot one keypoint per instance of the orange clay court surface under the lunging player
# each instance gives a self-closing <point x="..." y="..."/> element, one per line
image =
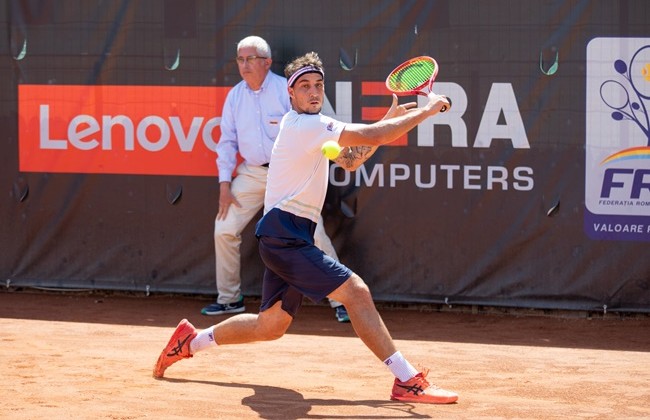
<point x="90" y="356"/>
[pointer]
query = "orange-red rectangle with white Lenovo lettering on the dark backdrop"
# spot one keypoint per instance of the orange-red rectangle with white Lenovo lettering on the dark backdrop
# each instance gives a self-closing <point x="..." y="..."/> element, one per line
<point x="149" y="130"/>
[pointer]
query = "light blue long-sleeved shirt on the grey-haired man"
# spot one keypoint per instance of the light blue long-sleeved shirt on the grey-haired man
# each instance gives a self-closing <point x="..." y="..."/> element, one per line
<point x="250" y="122"/>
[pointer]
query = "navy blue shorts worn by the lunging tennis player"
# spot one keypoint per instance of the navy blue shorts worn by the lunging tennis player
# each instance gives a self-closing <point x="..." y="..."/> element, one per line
<point x="296" y="268"/>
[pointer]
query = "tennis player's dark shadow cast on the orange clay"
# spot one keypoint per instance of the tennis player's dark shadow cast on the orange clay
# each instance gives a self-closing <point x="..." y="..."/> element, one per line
<point x="275" y="403"/>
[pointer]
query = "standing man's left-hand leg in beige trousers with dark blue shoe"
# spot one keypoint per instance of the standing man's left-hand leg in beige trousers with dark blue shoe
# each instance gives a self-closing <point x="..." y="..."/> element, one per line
<point x="248" y="188"/>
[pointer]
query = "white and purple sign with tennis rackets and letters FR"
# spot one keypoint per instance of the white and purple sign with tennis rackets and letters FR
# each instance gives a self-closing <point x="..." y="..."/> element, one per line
<point x="617" y="178"/>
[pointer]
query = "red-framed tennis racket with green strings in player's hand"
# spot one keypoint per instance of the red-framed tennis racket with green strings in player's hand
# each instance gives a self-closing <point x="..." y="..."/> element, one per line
<point x="414" y="77"/>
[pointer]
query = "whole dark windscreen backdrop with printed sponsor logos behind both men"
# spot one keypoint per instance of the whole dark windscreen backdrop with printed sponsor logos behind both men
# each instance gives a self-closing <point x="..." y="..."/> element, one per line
<point x="532" y="191"/>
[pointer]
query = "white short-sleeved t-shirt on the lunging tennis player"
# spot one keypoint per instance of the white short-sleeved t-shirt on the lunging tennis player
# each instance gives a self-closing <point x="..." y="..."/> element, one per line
<point x="298" y="171"/>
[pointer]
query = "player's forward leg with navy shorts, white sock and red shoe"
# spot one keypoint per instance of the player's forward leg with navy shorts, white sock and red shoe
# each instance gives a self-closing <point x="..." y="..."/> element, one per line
<point x="299" y="268"/>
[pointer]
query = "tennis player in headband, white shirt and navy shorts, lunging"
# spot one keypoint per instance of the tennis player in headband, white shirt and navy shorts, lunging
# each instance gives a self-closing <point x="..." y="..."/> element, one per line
<point x="295" y="267"/>
